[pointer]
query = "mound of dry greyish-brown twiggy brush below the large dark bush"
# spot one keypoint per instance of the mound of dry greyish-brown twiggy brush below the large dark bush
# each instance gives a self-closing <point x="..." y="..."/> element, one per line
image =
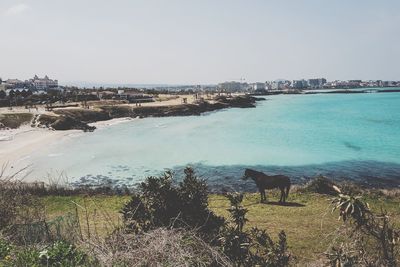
<point x="167" y="246"/>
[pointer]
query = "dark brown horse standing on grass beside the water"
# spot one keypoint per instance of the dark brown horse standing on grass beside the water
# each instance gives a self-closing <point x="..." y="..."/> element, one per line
<point x="264" y="181"/>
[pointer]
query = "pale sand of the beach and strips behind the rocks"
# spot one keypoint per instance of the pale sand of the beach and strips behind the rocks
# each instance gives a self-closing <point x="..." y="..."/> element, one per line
<point x="19" y="146"/>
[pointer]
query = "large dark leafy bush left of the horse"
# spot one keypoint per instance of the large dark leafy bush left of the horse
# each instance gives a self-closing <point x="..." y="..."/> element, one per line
<point x="160" y="203"/>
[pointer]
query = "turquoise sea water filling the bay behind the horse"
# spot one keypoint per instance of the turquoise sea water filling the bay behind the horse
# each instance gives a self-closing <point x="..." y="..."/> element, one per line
<point x="353" y="136"/>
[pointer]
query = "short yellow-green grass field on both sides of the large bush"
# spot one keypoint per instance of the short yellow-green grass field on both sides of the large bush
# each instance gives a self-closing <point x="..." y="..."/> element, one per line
<point x="307" y="219"/>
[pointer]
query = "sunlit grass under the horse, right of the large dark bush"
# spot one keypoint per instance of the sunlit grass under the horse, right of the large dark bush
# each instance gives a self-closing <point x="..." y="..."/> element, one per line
<point x="310" y="225"/>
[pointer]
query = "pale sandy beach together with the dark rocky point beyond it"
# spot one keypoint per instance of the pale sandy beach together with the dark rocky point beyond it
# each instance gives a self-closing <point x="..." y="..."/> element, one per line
<point x="18" y="145"/>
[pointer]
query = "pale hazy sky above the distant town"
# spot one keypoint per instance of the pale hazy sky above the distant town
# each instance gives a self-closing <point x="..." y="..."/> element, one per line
<point x="199" y="41"/>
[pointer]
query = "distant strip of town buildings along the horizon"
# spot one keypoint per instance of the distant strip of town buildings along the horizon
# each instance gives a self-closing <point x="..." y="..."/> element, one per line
<point x="37" y="84"/>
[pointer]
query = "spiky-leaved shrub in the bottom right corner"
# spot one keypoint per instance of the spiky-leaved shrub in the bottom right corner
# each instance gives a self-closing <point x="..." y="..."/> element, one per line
<point x="373" y="236"/>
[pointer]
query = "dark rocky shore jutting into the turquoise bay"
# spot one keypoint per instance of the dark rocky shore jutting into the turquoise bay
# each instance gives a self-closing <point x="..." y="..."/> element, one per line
<point x="68" y="119"/>
